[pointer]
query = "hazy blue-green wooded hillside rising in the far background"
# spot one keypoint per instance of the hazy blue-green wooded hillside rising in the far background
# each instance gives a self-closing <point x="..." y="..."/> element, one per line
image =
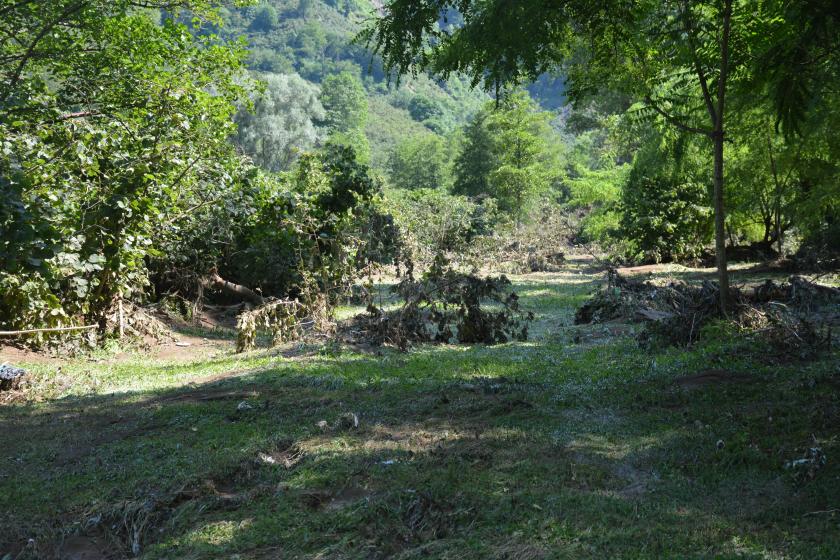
<point x="315" y="39"/>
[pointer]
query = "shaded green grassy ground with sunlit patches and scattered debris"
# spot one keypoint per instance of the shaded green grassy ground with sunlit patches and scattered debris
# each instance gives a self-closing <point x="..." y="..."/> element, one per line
<point x="576" y="444"/>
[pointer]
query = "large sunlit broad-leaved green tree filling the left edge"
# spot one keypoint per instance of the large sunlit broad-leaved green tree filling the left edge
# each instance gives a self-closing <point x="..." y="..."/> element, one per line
<point x="134" y="119"/>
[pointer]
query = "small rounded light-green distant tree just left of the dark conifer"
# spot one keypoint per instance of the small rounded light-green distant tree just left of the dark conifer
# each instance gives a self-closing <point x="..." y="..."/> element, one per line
<point x="419" y="162"/>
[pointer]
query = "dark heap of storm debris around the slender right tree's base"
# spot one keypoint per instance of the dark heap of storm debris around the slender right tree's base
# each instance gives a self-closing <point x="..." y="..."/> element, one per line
<point x="792" y="318"/>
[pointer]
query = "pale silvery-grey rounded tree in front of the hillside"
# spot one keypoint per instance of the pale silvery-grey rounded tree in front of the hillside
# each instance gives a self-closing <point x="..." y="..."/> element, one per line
<point x="282" y="123"/>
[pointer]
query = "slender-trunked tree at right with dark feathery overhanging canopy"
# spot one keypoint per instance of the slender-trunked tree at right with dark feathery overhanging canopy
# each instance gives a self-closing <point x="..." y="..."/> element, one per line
<point x="679" y="58"/>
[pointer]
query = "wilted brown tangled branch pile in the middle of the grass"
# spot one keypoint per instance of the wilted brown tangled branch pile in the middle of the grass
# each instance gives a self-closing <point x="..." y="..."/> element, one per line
<point x="446" y="305"/>
